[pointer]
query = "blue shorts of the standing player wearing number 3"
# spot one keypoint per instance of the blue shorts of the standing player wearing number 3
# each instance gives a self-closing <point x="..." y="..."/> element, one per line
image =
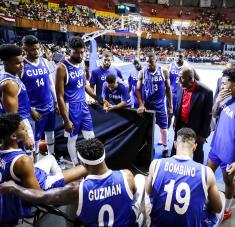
<point x="160" y="115"/>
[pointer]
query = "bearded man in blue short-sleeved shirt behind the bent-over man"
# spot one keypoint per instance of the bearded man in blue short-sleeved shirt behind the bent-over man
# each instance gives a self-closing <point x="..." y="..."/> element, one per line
<point x="99" y="74"/>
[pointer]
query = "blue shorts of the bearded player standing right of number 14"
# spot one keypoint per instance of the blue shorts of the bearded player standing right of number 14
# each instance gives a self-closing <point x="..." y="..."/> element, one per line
<point x="80" y="116"/>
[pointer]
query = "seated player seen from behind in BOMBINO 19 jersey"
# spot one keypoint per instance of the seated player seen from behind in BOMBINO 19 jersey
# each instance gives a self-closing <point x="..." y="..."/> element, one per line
<point x="180" y="189"/>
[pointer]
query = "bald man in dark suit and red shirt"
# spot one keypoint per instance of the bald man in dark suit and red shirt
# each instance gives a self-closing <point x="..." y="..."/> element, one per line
<point x="193" y="109"/>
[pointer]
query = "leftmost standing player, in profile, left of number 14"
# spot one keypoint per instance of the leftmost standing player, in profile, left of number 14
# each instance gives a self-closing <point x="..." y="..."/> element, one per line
<point x="13" y="94"/>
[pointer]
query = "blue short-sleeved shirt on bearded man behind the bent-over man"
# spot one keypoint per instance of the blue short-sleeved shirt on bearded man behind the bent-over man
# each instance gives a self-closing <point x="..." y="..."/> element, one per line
<point x="98" y="77"/>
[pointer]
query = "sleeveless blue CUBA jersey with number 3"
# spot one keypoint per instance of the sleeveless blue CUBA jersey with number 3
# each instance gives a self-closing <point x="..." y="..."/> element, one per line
<point x="154" y="89"/>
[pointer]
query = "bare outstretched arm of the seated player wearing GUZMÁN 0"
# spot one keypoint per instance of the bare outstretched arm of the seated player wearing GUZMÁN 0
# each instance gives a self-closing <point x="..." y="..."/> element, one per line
<point x="57" y="196"/>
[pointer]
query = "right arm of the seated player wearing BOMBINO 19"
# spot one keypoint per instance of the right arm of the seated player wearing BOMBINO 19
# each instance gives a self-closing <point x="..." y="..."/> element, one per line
<point x="214" y="202"/>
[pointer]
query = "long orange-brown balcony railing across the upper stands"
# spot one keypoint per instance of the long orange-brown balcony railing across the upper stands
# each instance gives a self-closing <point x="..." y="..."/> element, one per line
<point x="25" y="23"/>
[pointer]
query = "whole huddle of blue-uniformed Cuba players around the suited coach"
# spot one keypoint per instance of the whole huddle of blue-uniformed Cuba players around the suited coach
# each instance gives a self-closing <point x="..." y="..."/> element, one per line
<point x="178" y="189"/>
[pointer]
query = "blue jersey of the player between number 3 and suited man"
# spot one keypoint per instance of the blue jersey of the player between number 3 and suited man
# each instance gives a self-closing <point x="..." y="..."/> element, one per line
<point x="174" y="72"/>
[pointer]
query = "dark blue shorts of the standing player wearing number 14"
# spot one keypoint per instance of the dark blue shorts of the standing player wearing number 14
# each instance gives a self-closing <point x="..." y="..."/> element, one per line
<point x="47" y="123"/>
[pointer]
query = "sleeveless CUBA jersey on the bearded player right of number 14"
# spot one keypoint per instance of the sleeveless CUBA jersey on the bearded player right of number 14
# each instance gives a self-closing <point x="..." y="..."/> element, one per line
<point x="74" y="90"/>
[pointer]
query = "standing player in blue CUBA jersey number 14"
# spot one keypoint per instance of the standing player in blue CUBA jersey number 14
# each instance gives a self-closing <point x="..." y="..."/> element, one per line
<point x="41" y="91"/>
